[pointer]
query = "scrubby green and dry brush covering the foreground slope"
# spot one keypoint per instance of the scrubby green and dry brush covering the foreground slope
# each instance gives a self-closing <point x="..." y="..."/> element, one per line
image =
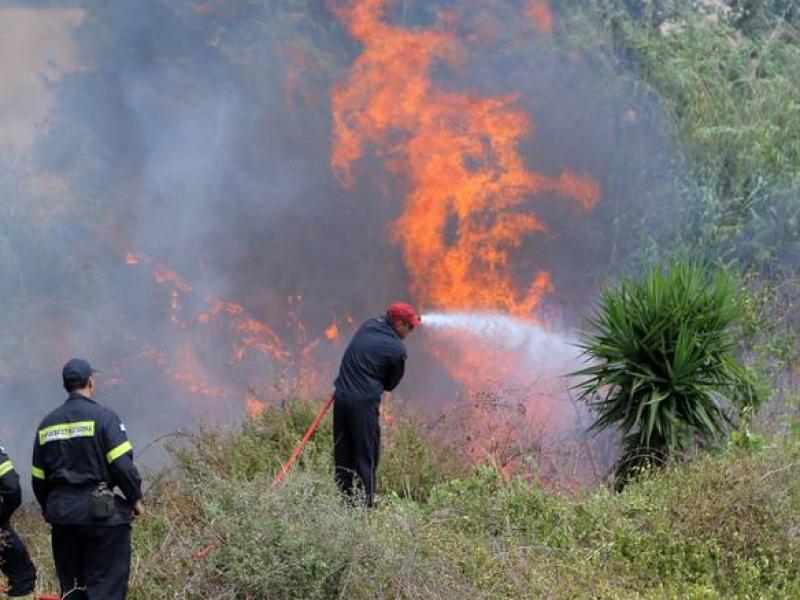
<point x="718" y="526"/>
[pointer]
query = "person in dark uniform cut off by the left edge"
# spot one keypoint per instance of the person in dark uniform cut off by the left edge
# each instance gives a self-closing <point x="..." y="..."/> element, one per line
<point x="15" y="562"/>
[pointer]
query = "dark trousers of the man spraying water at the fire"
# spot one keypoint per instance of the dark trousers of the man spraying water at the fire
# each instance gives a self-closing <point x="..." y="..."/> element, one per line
<point x="356" y="445"/>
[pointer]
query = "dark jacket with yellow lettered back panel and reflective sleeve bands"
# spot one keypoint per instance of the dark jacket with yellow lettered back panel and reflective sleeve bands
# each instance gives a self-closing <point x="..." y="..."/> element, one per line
<point x="78" y="446"/>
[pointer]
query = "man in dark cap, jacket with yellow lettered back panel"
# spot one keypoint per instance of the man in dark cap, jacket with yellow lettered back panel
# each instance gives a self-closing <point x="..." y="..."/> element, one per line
<point x="89" y="489"/>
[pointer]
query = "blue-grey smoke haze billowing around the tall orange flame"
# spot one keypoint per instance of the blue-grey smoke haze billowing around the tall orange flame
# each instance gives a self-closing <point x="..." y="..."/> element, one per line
<point x="178" y="154"/>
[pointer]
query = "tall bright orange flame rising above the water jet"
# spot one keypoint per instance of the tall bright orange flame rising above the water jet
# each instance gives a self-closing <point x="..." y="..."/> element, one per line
<point x="468" y="207"/>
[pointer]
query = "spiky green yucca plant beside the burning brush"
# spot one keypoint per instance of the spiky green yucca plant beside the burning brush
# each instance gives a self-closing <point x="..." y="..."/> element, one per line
<point x="664" y="369"/>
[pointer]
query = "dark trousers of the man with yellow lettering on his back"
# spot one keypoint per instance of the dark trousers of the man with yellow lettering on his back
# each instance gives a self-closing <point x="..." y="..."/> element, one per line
<point x="94" y="557"/>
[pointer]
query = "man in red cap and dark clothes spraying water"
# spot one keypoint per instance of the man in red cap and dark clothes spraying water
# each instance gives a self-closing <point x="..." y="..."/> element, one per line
<point x="373" y="362"/>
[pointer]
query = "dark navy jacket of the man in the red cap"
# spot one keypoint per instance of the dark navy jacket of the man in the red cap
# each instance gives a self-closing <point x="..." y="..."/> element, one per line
<point x="373" y="362"/>
